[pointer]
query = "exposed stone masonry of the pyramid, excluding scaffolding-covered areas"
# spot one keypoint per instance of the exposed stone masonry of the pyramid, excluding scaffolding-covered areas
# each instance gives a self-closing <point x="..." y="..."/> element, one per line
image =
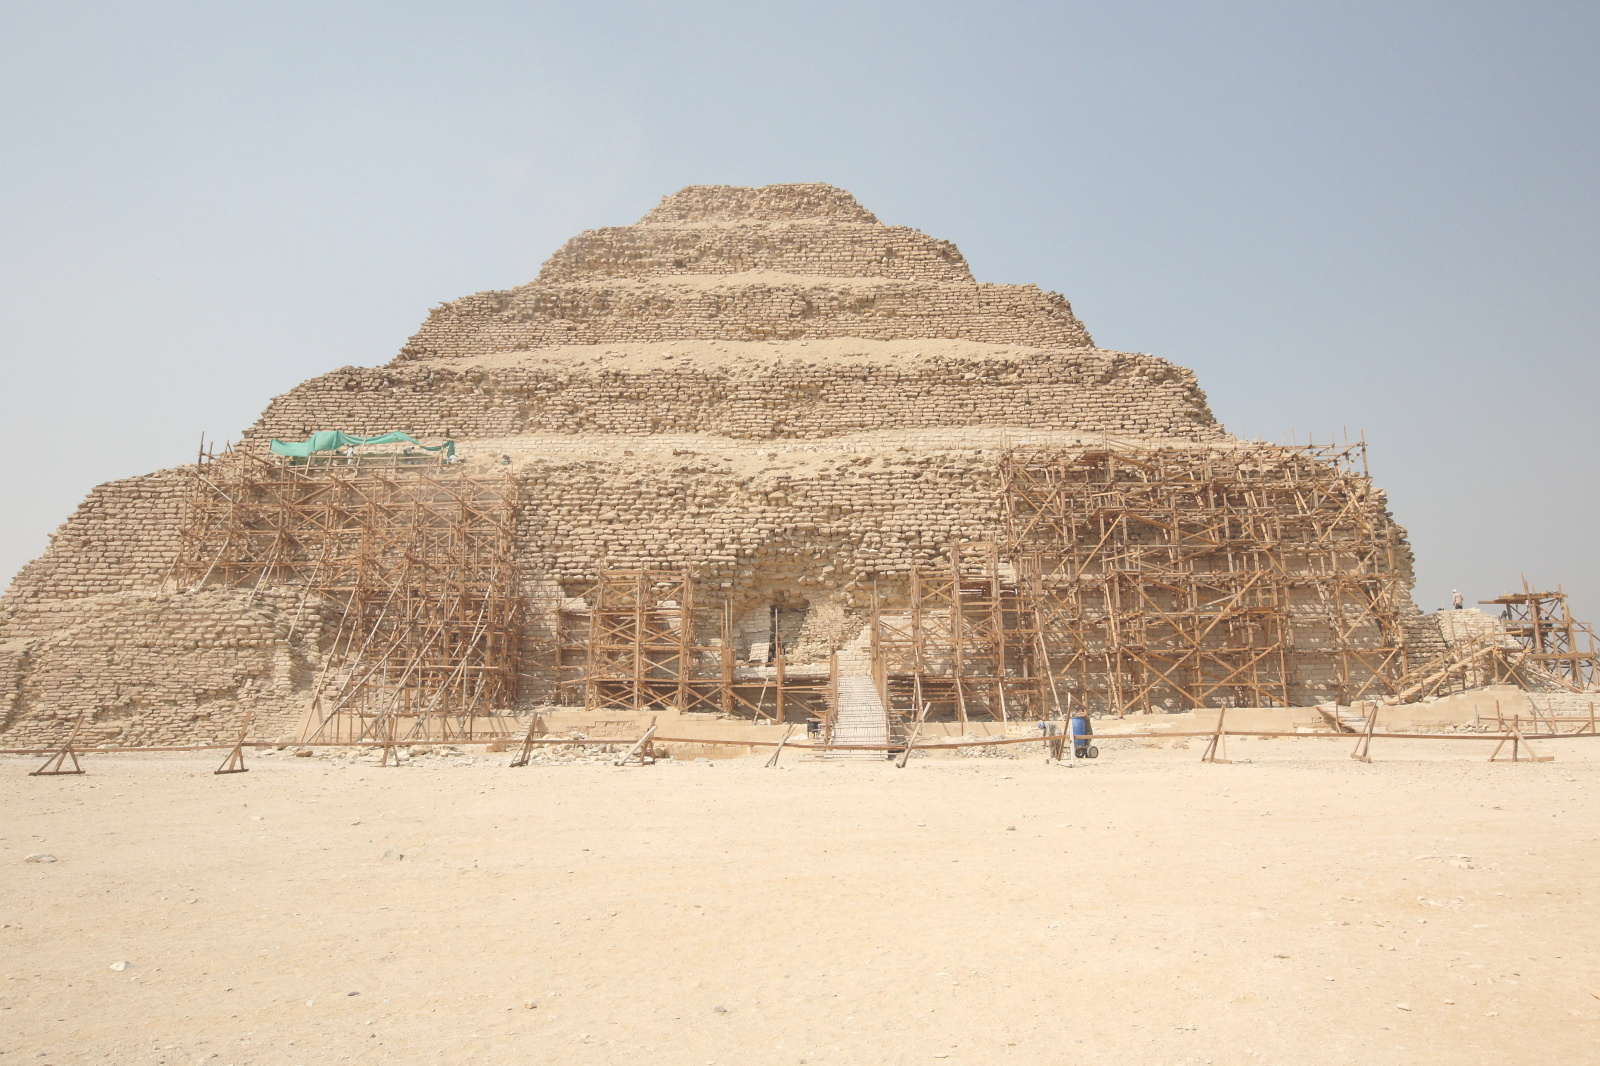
<point x="767" y="390"/>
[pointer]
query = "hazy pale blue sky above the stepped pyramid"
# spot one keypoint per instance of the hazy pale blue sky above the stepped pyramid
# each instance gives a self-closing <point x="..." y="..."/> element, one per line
<point x="1378" y="217"/>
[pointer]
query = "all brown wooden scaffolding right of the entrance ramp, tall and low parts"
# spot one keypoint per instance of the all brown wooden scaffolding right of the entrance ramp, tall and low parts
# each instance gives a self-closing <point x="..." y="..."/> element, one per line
<point x="1156" y="579"/>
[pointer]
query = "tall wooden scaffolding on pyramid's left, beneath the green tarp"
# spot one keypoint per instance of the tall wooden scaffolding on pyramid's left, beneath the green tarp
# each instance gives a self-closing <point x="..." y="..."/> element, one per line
<point x="409" y="558"/>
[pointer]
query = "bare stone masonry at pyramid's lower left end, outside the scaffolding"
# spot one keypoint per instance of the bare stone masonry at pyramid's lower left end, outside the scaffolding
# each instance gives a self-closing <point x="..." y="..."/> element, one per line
<point x="87" y="627"/>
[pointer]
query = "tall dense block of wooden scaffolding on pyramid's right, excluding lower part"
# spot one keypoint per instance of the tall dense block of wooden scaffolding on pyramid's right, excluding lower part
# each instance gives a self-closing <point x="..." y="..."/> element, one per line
<point x="1183" y="577"/>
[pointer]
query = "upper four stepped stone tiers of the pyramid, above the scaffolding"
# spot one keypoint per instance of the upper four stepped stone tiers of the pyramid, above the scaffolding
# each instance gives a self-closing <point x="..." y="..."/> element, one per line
<point x="738" y="311"/>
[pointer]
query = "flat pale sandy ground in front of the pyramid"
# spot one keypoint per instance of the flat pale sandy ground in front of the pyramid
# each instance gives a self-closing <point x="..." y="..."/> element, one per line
<point x="1146" y="908"/>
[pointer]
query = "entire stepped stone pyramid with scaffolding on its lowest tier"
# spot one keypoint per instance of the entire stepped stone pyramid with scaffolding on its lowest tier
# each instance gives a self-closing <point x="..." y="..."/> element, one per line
<point x="745" y="457"/>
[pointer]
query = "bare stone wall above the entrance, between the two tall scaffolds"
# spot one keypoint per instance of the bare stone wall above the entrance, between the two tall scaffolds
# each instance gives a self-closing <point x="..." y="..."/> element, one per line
<point x="818" y="526"/>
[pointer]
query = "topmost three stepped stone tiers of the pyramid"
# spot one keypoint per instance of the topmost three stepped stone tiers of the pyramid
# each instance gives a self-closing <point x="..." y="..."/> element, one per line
<point x="782" y="263"/>
